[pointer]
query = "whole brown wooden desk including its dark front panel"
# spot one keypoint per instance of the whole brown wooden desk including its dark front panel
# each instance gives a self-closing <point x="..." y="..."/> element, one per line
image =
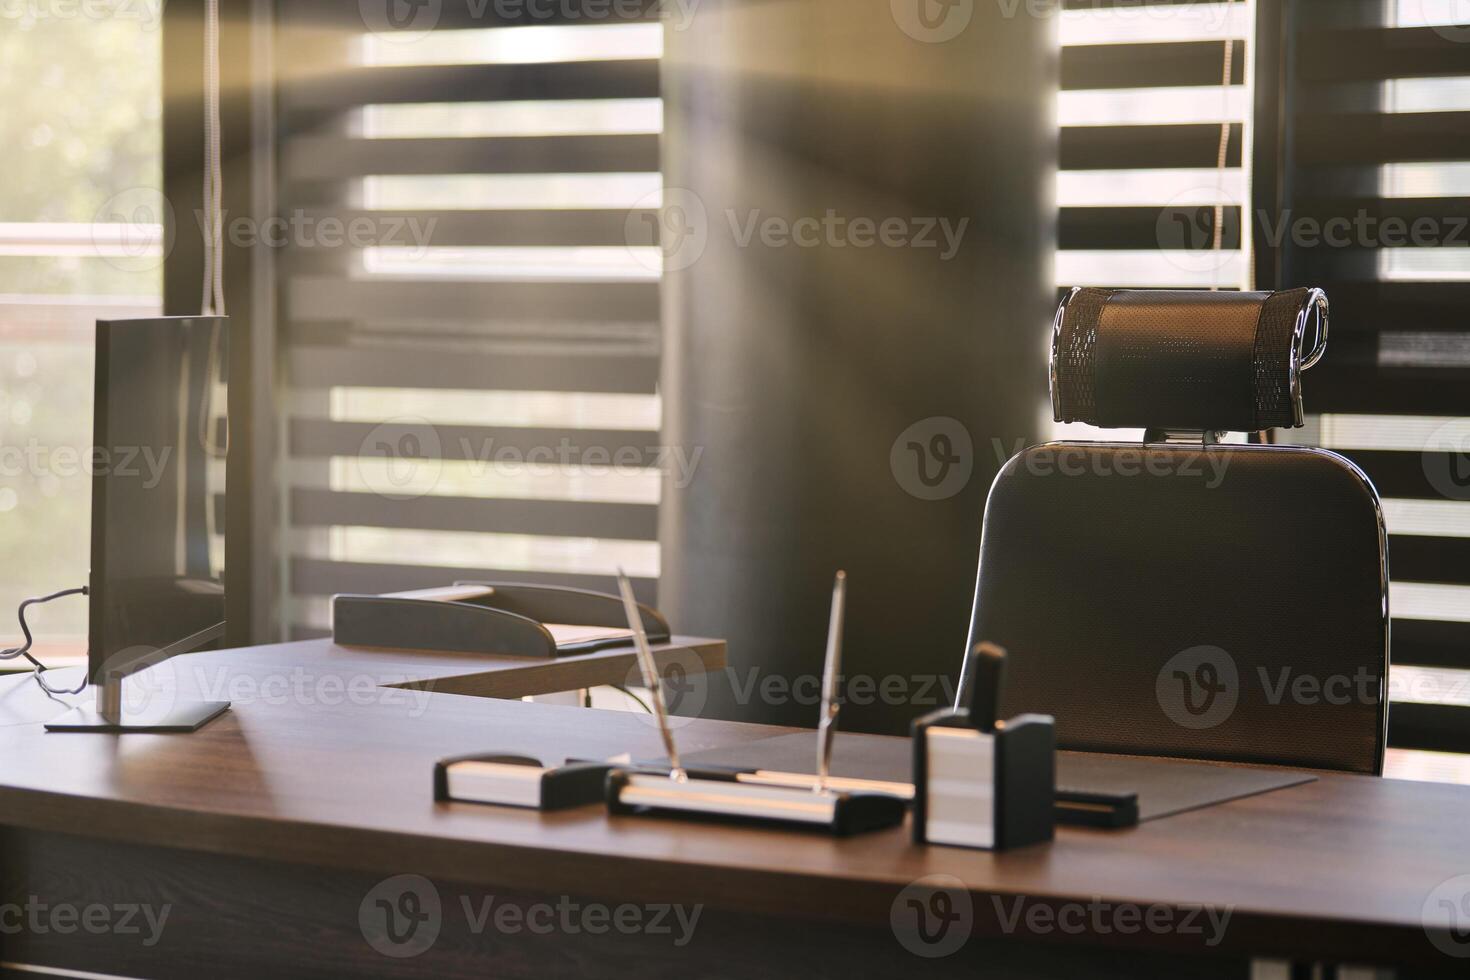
<point x="268" y="832"/>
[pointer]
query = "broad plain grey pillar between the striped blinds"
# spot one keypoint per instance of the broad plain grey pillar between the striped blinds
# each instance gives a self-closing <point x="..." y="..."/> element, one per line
<point x="802" y="371"/>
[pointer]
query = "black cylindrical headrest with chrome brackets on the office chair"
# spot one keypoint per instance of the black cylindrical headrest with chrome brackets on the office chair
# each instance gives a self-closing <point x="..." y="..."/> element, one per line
<point x="1180" y="359"/>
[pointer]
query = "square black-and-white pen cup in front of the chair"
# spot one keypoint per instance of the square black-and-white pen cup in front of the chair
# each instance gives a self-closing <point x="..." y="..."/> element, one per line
<point x="984" y="790"/>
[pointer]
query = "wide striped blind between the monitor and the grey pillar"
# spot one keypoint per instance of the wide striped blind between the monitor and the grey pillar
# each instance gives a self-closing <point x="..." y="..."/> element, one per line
<point x="473" y="374"/>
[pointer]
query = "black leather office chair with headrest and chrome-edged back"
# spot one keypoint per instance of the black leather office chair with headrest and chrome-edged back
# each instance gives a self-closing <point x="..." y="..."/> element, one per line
<point x="1181" y="597"/>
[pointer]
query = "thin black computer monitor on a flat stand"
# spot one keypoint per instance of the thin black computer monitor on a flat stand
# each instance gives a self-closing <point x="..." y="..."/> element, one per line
<point x="161" y="434"/>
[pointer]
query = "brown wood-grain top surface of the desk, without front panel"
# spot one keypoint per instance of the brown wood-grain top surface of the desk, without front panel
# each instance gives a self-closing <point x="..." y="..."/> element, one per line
<point x="1343" y="868"/>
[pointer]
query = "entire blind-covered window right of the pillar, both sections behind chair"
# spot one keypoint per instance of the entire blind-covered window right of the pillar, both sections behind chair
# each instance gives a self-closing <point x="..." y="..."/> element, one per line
<point x="1358" y="177"/>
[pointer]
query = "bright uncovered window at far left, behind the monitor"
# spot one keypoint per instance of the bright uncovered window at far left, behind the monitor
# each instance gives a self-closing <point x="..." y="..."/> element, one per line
<point x="80" y="240"/>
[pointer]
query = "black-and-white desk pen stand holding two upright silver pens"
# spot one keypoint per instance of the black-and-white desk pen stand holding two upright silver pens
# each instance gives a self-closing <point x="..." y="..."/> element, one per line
<point x="734" y="796"/>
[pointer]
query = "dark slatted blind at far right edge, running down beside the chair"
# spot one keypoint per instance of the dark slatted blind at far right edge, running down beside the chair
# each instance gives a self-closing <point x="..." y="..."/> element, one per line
<point x="1371" y="205"/>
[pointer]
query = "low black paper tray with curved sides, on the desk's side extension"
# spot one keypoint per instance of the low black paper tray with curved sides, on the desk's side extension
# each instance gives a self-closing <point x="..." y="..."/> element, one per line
<point x="490" y="618"/>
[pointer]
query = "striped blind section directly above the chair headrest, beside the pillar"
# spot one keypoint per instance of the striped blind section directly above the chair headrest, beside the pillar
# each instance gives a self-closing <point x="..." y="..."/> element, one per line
<point x="1141" y="112"/>
